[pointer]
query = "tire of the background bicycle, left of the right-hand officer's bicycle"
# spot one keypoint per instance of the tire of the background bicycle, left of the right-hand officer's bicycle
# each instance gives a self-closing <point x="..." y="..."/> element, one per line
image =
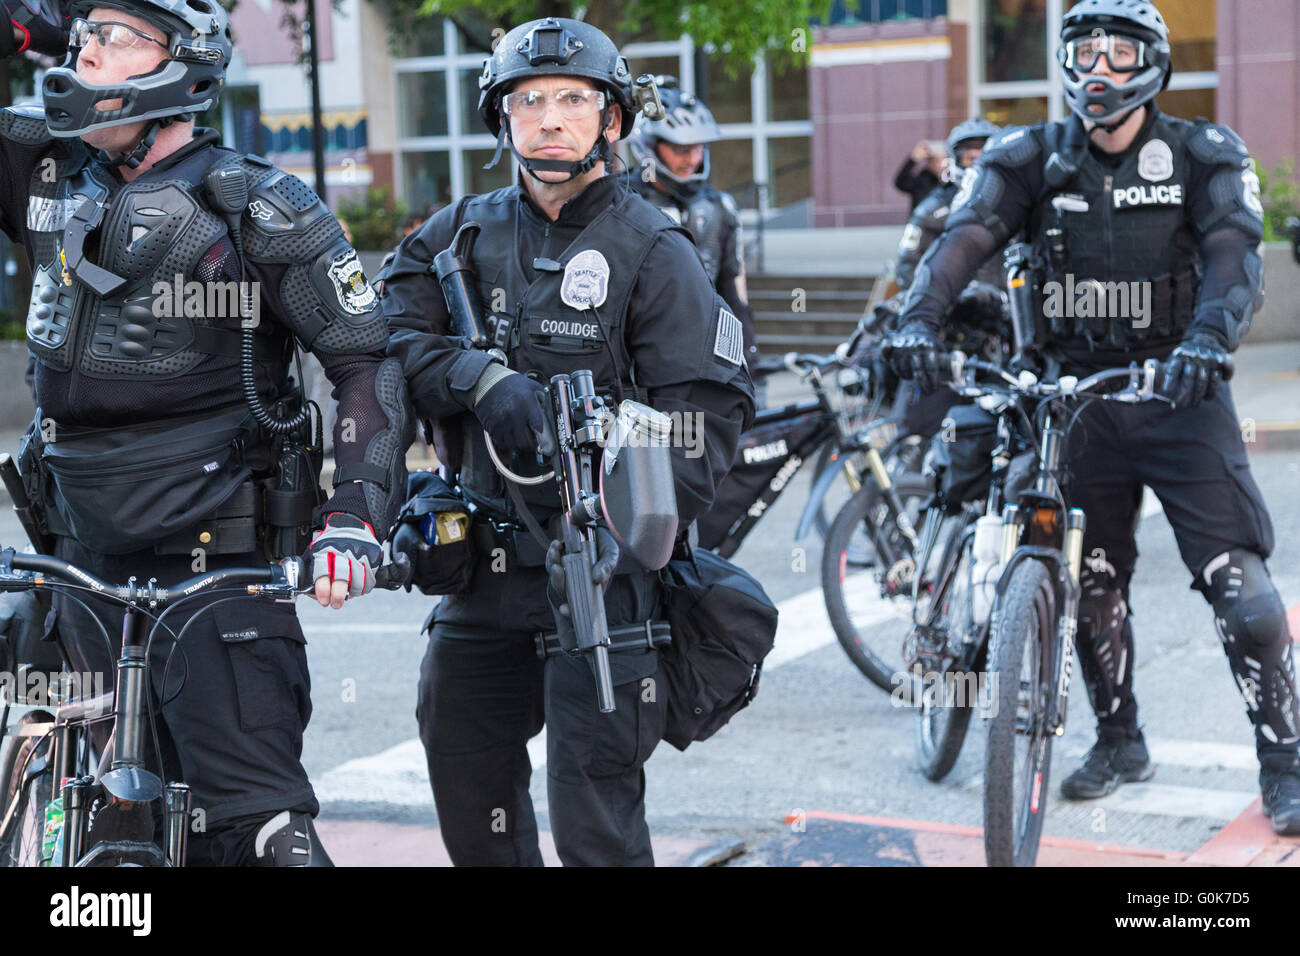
<point x="876" y="650"/>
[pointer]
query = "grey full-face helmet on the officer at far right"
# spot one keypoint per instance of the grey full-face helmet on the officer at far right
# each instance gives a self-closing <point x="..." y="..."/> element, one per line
<point x="1136" y="19"/>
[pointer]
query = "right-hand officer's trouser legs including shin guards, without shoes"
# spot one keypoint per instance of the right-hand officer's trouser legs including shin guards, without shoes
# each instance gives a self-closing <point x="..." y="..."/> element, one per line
<point x="1195" y="462"/>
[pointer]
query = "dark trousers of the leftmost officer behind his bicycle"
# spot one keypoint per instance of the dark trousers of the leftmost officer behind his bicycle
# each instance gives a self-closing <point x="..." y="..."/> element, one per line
<point x="236" y="703"/>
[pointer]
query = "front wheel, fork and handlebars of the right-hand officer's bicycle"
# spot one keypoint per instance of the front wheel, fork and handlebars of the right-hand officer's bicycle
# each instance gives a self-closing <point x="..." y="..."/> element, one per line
<point x="1034" y="609"/>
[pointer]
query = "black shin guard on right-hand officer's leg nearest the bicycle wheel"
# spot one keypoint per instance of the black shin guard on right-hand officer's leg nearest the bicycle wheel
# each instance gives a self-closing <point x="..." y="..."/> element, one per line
<point x="1104" y="642"/>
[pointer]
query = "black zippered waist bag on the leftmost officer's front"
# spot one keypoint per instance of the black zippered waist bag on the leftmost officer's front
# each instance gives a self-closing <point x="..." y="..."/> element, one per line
<point x="128" y="488"/>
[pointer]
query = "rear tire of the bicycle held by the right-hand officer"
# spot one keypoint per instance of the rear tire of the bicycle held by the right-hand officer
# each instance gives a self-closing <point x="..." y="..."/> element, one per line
<point x="942" y="730"/>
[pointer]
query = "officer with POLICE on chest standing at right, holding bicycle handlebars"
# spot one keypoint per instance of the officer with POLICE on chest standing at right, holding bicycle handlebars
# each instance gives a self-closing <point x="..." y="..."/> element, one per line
<point x="1126" y="194"/>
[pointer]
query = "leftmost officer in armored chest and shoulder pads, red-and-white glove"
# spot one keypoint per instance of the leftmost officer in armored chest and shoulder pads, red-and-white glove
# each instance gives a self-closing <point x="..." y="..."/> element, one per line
<point x="109" y="192"/>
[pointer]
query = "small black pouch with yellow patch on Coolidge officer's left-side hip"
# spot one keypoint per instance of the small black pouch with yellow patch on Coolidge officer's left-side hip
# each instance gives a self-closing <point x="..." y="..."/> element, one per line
<point x="447" y="566"/>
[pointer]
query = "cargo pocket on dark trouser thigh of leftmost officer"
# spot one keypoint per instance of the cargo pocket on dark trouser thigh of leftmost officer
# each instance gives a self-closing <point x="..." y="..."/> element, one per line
<point x="268" y="659"/>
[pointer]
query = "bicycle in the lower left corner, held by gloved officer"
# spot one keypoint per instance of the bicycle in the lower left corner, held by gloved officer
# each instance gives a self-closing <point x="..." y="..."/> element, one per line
<point x="118" y="798"/>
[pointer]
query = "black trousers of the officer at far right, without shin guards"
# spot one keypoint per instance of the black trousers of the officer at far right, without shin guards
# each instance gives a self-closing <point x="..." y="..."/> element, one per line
<point x="1195" y="462"/>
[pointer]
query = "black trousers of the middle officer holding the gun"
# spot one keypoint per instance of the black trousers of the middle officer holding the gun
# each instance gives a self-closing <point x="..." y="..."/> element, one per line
<point x="484" y="693"/>
